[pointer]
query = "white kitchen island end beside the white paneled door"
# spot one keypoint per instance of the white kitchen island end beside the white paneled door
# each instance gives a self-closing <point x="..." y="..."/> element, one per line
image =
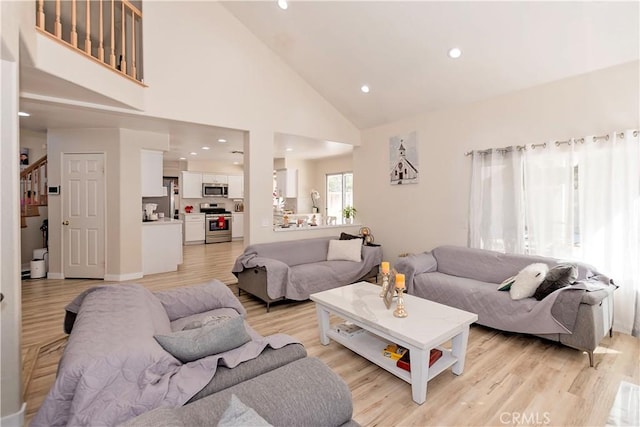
<point x="161" y="245"/>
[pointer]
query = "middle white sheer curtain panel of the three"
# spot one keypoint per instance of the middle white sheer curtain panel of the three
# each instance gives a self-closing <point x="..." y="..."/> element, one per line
<point x="550" y="197"/>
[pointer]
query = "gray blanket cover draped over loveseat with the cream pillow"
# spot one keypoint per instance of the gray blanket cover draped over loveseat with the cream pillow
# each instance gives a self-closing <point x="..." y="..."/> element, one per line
<point x="296" y="269"/>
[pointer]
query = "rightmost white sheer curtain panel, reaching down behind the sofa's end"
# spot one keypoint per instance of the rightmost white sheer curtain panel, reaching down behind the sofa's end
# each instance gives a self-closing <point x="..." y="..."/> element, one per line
<point x="609" y="205"/>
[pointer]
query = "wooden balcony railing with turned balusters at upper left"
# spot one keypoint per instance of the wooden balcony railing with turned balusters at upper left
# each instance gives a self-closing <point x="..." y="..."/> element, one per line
<point x="108" y="31"/>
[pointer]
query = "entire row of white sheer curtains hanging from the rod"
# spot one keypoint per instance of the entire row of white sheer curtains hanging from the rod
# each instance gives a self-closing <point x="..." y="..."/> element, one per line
<point x="577" y="200"/>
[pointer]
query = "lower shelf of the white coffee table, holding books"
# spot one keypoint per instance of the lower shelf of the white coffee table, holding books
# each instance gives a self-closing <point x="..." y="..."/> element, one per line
<point x="370" y="346"/>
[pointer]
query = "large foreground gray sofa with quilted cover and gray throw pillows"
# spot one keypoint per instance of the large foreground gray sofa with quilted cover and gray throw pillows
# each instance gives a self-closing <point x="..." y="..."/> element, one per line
<point x="183" y="357"/>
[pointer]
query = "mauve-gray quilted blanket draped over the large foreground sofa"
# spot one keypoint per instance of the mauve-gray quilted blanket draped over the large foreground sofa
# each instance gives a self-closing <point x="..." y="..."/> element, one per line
<point x="113" y="369"/>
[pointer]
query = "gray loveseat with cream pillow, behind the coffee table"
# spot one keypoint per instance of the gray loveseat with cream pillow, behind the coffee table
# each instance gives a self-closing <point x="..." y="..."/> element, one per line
<point x="295" y="269"/>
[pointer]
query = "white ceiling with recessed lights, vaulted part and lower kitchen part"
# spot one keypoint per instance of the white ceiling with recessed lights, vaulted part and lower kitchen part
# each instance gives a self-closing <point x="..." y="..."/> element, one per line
<point x="400" y="50"/>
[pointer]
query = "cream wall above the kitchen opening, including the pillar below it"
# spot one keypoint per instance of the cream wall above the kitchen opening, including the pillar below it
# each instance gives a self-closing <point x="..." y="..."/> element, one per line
<point x="227" y="78"/>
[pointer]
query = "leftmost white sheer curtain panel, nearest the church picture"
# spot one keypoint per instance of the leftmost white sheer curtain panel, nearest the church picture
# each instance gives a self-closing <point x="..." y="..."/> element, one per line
<point x="496" y="215"/>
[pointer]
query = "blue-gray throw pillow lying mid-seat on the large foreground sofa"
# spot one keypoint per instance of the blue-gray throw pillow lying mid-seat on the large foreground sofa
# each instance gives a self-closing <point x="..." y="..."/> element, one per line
<point x="211" y="338"/>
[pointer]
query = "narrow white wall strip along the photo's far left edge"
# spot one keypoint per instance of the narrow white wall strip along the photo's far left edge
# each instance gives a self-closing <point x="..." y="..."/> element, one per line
<point x="11" y="404"/>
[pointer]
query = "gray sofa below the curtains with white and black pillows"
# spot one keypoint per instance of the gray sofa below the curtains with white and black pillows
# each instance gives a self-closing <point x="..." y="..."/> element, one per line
<point x="574" y="306"/>
